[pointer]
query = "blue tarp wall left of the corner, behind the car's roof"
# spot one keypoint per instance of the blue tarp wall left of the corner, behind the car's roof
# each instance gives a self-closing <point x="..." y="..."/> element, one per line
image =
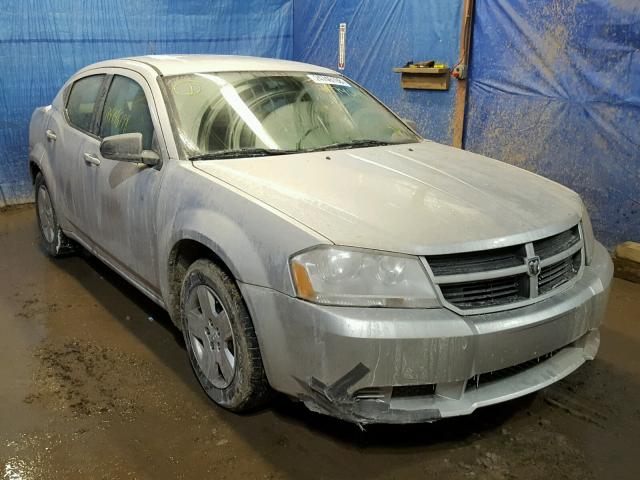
<point x="43" y="43"/>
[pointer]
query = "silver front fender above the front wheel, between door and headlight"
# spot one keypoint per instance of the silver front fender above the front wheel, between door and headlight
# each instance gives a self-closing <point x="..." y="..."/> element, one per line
<point x="254" y="240"/>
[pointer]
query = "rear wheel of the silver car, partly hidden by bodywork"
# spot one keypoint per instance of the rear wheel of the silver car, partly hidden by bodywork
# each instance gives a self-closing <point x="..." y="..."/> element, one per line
<point x="55" y="242"/>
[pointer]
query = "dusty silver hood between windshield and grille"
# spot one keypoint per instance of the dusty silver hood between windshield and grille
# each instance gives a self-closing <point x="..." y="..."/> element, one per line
<point x="423" y="198"/>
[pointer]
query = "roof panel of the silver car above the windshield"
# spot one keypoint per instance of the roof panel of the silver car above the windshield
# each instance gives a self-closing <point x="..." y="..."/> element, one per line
<point x="182" y="64"/>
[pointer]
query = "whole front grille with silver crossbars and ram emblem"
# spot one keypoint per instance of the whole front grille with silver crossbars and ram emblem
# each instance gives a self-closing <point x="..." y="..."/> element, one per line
<point x="509" y="275"/>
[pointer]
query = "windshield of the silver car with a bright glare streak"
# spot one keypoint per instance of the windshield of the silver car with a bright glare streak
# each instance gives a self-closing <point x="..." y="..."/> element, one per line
<point x="266" y="113"/>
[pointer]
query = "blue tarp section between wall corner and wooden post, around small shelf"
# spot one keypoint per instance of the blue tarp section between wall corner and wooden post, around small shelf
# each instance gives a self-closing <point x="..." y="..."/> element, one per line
<point x="381" y="35"/>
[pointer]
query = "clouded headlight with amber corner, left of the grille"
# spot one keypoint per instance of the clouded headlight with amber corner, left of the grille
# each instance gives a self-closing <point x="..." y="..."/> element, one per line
<point x="342" y="276"/>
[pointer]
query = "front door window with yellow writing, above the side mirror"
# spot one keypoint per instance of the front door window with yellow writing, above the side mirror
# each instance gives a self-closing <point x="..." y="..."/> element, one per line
<point x="126" y="111"/>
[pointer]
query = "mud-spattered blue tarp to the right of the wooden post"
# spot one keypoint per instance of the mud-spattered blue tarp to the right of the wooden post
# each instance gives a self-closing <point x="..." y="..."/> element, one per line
<point x="555" y="88"/>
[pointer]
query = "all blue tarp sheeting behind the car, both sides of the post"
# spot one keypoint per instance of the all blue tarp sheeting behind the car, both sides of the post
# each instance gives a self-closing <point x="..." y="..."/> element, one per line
<point x="554" y="84"/>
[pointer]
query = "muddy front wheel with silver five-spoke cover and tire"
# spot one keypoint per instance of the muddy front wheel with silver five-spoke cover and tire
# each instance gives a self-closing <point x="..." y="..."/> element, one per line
<point x="220" y="339"/>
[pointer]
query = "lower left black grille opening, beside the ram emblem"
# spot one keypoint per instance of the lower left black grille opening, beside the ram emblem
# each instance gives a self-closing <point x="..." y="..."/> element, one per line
<point x="485" y="293"/>
